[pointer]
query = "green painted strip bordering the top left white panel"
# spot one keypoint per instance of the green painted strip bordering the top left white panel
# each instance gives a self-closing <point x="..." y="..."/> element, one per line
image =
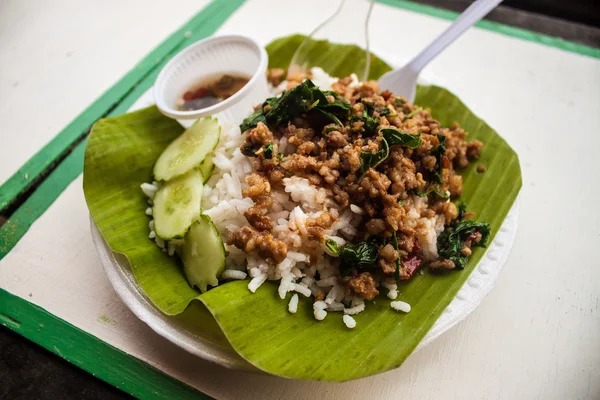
<point x="201" y="25"/>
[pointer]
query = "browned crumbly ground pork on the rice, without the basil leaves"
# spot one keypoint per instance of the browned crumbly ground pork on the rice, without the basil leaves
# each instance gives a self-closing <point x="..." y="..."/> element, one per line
<point x="336" y="154"/>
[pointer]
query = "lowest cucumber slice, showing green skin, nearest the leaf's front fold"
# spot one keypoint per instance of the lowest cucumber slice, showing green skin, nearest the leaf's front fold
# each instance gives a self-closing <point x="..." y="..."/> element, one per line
<point x="203" y="254"/>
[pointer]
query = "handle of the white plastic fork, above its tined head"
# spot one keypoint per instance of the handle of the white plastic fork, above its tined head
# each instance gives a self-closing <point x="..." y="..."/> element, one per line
<point x="475" y="12"/>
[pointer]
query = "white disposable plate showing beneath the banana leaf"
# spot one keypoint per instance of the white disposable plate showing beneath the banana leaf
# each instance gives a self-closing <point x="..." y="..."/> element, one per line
<point x="117" y="269"/>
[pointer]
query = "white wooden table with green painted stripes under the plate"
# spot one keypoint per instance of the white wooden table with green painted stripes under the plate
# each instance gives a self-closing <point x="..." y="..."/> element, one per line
<point x="537" y="335"/>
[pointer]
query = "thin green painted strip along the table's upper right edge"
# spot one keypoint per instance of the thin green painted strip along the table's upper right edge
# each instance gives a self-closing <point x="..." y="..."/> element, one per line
<point x="497" y="27"/>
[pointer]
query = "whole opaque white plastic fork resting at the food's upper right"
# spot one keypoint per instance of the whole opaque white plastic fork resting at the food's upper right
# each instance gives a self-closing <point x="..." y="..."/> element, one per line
<point x="403" y="81"/>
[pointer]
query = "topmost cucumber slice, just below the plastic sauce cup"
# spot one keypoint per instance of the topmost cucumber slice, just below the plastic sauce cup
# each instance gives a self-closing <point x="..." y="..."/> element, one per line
<point x="188" y="150"/>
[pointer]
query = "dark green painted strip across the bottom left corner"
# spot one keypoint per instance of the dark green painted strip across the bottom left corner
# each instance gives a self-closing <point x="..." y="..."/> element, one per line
<point x="90" y="353"/>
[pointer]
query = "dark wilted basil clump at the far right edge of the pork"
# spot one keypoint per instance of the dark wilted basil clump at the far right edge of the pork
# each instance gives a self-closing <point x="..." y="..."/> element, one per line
<point x="452" y="240"/>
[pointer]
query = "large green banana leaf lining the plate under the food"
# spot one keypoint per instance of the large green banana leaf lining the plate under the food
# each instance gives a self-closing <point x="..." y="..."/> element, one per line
<point x="120" y="155"/>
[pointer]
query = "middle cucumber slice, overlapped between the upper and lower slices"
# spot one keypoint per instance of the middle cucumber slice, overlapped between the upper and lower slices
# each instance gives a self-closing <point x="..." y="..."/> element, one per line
<point x="177" y="205"/>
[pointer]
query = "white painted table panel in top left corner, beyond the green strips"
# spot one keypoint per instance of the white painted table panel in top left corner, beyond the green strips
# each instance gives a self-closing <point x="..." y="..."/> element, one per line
<point x="58" y="56"/>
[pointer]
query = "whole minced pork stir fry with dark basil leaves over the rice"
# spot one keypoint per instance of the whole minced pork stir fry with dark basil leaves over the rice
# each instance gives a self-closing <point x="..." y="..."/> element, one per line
<point x="373" y="152"/>
